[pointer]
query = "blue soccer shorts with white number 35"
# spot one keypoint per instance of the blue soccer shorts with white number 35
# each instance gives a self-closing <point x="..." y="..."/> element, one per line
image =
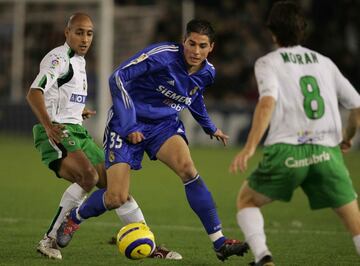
<point x="119" y="150"/>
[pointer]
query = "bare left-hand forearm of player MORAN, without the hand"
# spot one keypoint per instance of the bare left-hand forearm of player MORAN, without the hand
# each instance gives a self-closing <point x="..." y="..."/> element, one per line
<point x="260" y="122"/>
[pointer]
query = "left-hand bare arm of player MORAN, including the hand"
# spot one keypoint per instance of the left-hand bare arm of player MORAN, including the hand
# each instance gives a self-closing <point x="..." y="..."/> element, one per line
<point x="260" y="123"/>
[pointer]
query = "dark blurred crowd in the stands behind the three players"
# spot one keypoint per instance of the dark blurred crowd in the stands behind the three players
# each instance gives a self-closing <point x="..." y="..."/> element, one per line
<point x="333" y="29"/>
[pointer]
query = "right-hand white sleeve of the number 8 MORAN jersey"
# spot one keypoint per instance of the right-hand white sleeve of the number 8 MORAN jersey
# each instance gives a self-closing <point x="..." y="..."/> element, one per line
<point x="347" y="95"/>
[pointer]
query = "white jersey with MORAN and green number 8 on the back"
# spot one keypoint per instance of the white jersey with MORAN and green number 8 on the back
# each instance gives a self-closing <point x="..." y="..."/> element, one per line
<point x="307" y="87"/>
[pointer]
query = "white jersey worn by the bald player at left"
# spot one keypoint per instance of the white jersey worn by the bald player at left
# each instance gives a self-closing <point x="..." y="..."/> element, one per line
<point x="62" y="78"/>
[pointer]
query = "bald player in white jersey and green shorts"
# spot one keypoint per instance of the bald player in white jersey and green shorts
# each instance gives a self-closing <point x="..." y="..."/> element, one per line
<point x="57" y="97"/>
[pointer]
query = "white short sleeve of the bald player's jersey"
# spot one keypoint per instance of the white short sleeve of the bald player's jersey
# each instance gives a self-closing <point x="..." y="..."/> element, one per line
<point x="52" y="67"/>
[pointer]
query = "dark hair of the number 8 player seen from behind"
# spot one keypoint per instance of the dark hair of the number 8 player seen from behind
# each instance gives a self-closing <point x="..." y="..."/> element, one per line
<point x="287" y="23"/>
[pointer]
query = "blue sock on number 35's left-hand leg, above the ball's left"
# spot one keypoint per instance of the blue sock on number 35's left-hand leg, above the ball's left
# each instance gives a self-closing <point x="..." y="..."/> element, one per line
<point x="92" y="207"/>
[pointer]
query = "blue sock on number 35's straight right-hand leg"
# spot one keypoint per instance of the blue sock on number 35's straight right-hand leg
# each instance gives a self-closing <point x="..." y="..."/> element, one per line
<point x="202" y="203"/>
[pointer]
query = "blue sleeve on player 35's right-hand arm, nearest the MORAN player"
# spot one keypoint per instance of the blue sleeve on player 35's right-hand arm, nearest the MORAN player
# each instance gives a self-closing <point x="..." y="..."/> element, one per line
<point x="200" y="114"/>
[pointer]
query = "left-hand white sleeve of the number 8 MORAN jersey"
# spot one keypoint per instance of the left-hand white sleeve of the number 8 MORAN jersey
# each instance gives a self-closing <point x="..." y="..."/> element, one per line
<point x="266" y="79"/>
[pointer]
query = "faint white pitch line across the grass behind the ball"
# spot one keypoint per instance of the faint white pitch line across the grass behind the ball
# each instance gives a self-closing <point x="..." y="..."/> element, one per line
<point x="176" y="227"/>
